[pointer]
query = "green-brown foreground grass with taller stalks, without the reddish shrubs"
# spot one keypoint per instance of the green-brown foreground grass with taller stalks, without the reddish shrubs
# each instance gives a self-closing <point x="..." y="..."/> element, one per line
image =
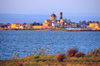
<point x="45" y="60"/>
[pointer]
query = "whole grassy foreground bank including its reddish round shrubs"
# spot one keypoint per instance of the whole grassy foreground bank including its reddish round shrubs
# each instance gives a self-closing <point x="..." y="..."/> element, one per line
<point x="79" y="59"/>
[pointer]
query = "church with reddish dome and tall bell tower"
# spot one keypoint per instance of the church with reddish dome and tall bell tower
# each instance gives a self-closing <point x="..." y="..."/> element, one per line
<point x="53" y="22"/>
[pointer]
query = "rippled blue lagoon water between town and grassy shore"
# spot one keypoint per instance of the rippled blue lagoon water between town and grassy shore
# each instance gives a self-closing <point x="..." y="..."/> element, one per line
<point x="25" y="42"/>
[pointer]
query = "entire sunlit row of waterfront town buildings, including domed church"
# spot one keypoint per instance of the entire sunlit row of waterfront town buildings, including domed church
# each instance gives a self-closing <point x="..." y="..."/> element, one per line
<point x="53" y="23"/>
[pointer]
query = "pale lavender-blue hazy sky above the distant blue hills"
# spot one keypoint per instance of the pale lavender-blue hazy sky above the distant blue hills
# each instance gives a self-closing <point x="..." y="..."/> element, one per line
<point x="46" y="7"/>
